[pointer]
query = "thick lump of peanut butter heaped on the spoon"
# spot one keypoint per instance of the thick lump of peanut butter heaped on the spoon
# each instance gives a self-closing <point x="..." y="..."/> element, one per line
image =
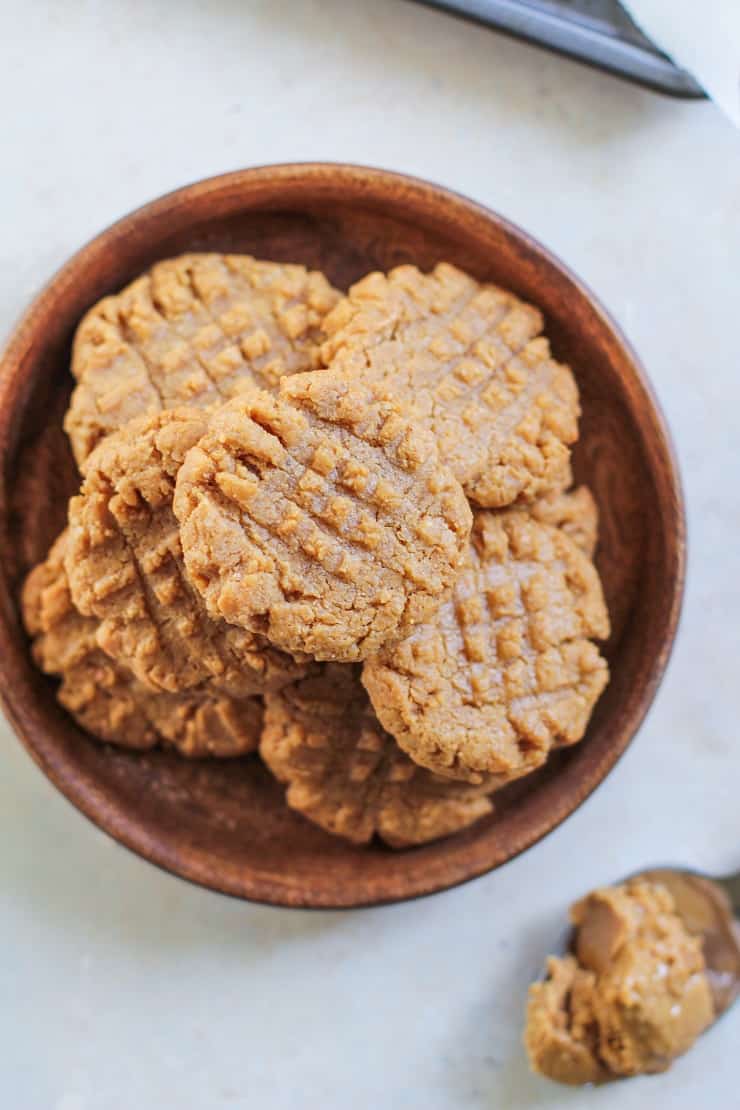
<point x="633" y="997"/>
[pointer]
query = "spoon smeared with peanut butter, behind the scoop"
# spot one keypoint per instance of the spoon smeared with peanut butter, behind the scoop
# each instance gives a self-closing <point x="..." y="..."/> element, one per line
<point x="711" y="910"/>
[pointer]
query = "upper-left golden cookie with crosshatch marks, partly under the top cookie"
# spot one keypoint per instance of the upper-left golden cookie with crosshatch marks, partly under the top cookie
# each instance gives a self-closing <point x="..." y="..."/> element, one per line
<point x="194" y="330"/>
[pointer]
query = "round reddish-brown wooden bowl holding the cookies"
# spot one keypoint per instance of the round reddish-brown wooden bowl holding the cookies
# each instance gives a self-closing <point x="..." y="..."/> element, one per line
<point x="225" y="825"/>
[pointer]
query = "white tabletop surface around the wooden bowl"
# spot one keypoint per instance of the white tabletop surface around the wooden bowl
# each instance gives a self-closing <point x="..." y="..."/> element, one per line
<point x="121" y="987"/>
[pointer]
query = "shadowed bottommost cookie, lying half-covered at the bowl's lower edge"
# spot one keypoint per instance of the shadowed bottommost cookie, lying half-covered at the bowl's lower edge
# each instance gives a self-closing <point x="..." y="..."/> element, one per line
<point x="346" y="774"/>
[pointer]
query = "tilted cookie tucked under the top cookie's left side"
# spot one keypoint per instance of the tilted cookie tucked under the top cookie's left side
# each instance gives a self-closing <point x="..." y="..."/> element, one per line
<point x="126" y="568"/>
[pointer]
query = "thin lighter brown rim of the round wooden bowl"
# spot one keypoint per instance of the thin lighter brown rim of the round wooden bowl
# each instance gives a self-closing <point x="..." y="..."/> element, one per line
<point x="283" y="180"/>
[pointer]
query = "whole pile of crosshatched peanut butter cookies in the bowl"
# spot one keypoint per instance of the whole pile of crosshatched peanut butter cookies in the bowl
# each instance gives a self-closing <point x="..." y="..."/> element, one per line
<point x="334" y="530"/>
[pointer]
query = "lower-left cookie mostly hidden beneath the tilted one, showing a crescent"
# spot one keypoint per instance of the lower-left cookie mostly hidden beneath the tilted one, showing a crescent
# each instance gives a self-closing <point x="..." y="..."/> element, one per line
<point x="106" y="700"/>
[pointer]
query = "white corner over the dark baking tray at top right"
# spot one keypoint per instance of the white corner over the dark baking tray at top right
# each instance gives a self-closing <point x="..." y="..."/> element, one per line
<point x="704" y="38"/>
